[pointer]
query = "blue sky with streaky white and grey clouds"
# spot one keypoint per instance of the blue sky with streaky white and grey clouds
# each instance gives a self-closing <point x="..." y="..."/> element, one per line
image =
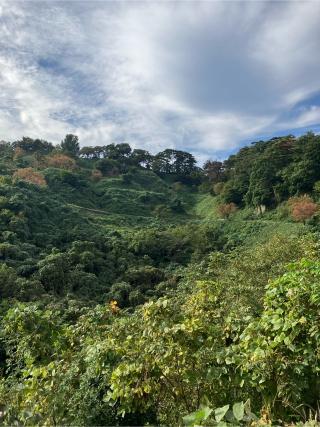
<point x="204" y="76"/>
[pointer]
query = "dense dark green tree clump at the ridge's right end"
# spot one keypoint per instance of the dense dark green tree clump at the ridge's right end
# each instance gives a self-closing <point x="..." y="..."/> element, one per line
<point x="268" y="172"/>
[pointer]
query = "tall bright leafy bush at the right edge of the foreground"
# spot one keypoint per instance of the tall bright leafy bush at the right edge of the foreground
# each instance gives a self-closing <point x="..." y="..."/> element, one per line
<point x="280" y="348"/>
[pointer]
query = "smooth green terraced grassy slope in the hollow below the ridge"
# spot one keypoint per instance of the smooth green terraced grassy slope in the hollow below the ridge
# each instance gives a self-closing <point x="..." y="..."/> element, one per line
<point x="121" y="204"/>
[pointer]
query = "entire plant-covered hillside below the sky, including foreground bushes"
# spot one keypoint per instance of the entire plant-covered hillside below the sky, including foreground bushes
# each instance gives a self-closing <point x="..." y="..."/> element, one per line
<point x="141" y="288"/>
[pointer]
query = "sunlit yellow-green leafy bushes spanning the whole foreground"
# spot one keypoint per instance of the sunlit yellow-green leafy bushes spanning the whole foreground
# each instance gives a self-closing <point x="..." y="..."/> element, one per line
<point x="159" y="363"/>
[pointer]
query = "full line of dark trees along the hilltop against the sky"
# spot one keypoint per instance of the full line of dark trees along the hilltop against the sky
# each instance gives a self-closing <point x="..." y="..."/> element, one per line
<point x="264" y="173"/>
